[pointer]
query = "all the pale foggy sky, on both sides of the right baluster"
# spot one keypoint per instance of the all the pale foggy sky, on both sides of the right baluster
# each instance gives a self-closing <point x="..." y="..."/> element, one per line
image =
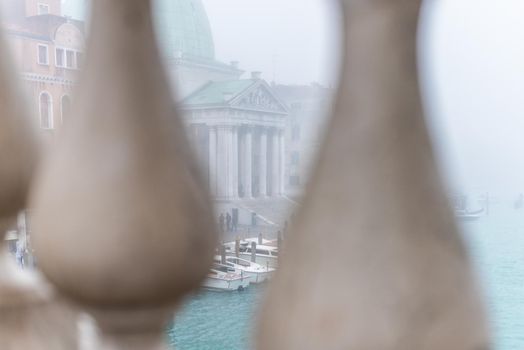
<point x="472" y="65"/>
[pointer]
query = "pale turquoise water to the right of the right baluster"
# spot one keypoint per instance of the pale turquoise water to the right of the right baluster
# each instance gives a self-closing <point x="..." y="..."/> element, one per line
<point x="496" y="245"/>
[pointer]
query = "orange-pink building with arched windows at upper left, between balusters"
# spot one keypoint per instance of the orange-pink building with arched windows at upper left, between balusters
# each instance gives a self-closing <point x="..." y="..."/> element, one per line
<point x="49" y="50"/>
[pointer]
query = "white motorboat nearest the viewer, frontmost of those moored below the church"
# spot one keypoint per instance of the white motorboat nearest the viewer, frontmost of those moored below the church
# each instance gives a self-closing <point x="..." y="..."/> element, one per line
<point x="225" y="278"/>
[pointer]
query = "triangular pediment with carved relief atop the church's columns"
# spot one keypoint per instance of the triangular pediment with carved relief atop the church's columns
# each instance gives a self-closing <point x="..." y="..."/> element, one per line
<point x="259" y="97"/>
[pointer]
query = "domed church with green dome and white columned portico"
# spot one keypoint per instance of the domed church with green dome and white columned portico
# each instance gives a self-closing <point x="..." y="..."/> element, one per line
<point x="237" y="126"/>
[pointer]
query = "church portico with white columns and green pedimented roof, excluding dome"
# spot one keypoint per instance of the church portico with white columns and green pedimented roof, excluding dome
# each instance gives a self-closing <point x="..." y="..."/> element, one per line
<point x="237" y="127"/>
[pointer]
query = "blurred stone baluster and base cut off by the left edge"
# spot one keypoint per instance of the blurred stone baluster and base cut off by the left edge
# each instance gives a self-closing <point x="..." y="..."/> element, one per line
<point x="31" y="315"/>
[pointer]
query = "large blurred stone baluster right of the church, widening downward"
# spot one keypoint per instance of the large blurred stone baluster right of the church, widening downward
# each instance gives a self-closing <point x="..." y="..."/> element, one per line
<point x="375" y="260"/>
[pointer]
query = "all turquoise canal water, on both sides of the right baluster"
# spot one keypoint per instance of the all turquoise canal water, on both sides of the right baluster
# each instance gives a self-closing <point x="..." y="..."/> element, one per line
<point x="224" y="321"/>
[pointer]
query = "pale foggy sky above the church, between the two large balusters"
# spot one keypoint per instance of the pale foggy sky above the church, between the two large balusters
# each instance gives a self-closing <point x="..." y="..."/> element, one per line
<point x="291" y="41"/>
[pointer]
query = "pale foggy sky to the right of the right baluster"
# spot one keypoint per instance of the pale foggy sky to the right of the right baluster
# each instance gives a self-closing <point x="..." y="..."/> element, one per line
<point x="472" y="55"/>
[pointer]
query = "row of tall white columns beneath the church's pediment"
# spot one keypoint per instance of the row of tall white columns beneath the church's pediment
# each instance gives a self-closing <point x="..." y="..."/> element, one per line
<point x="242" y="161"/>
